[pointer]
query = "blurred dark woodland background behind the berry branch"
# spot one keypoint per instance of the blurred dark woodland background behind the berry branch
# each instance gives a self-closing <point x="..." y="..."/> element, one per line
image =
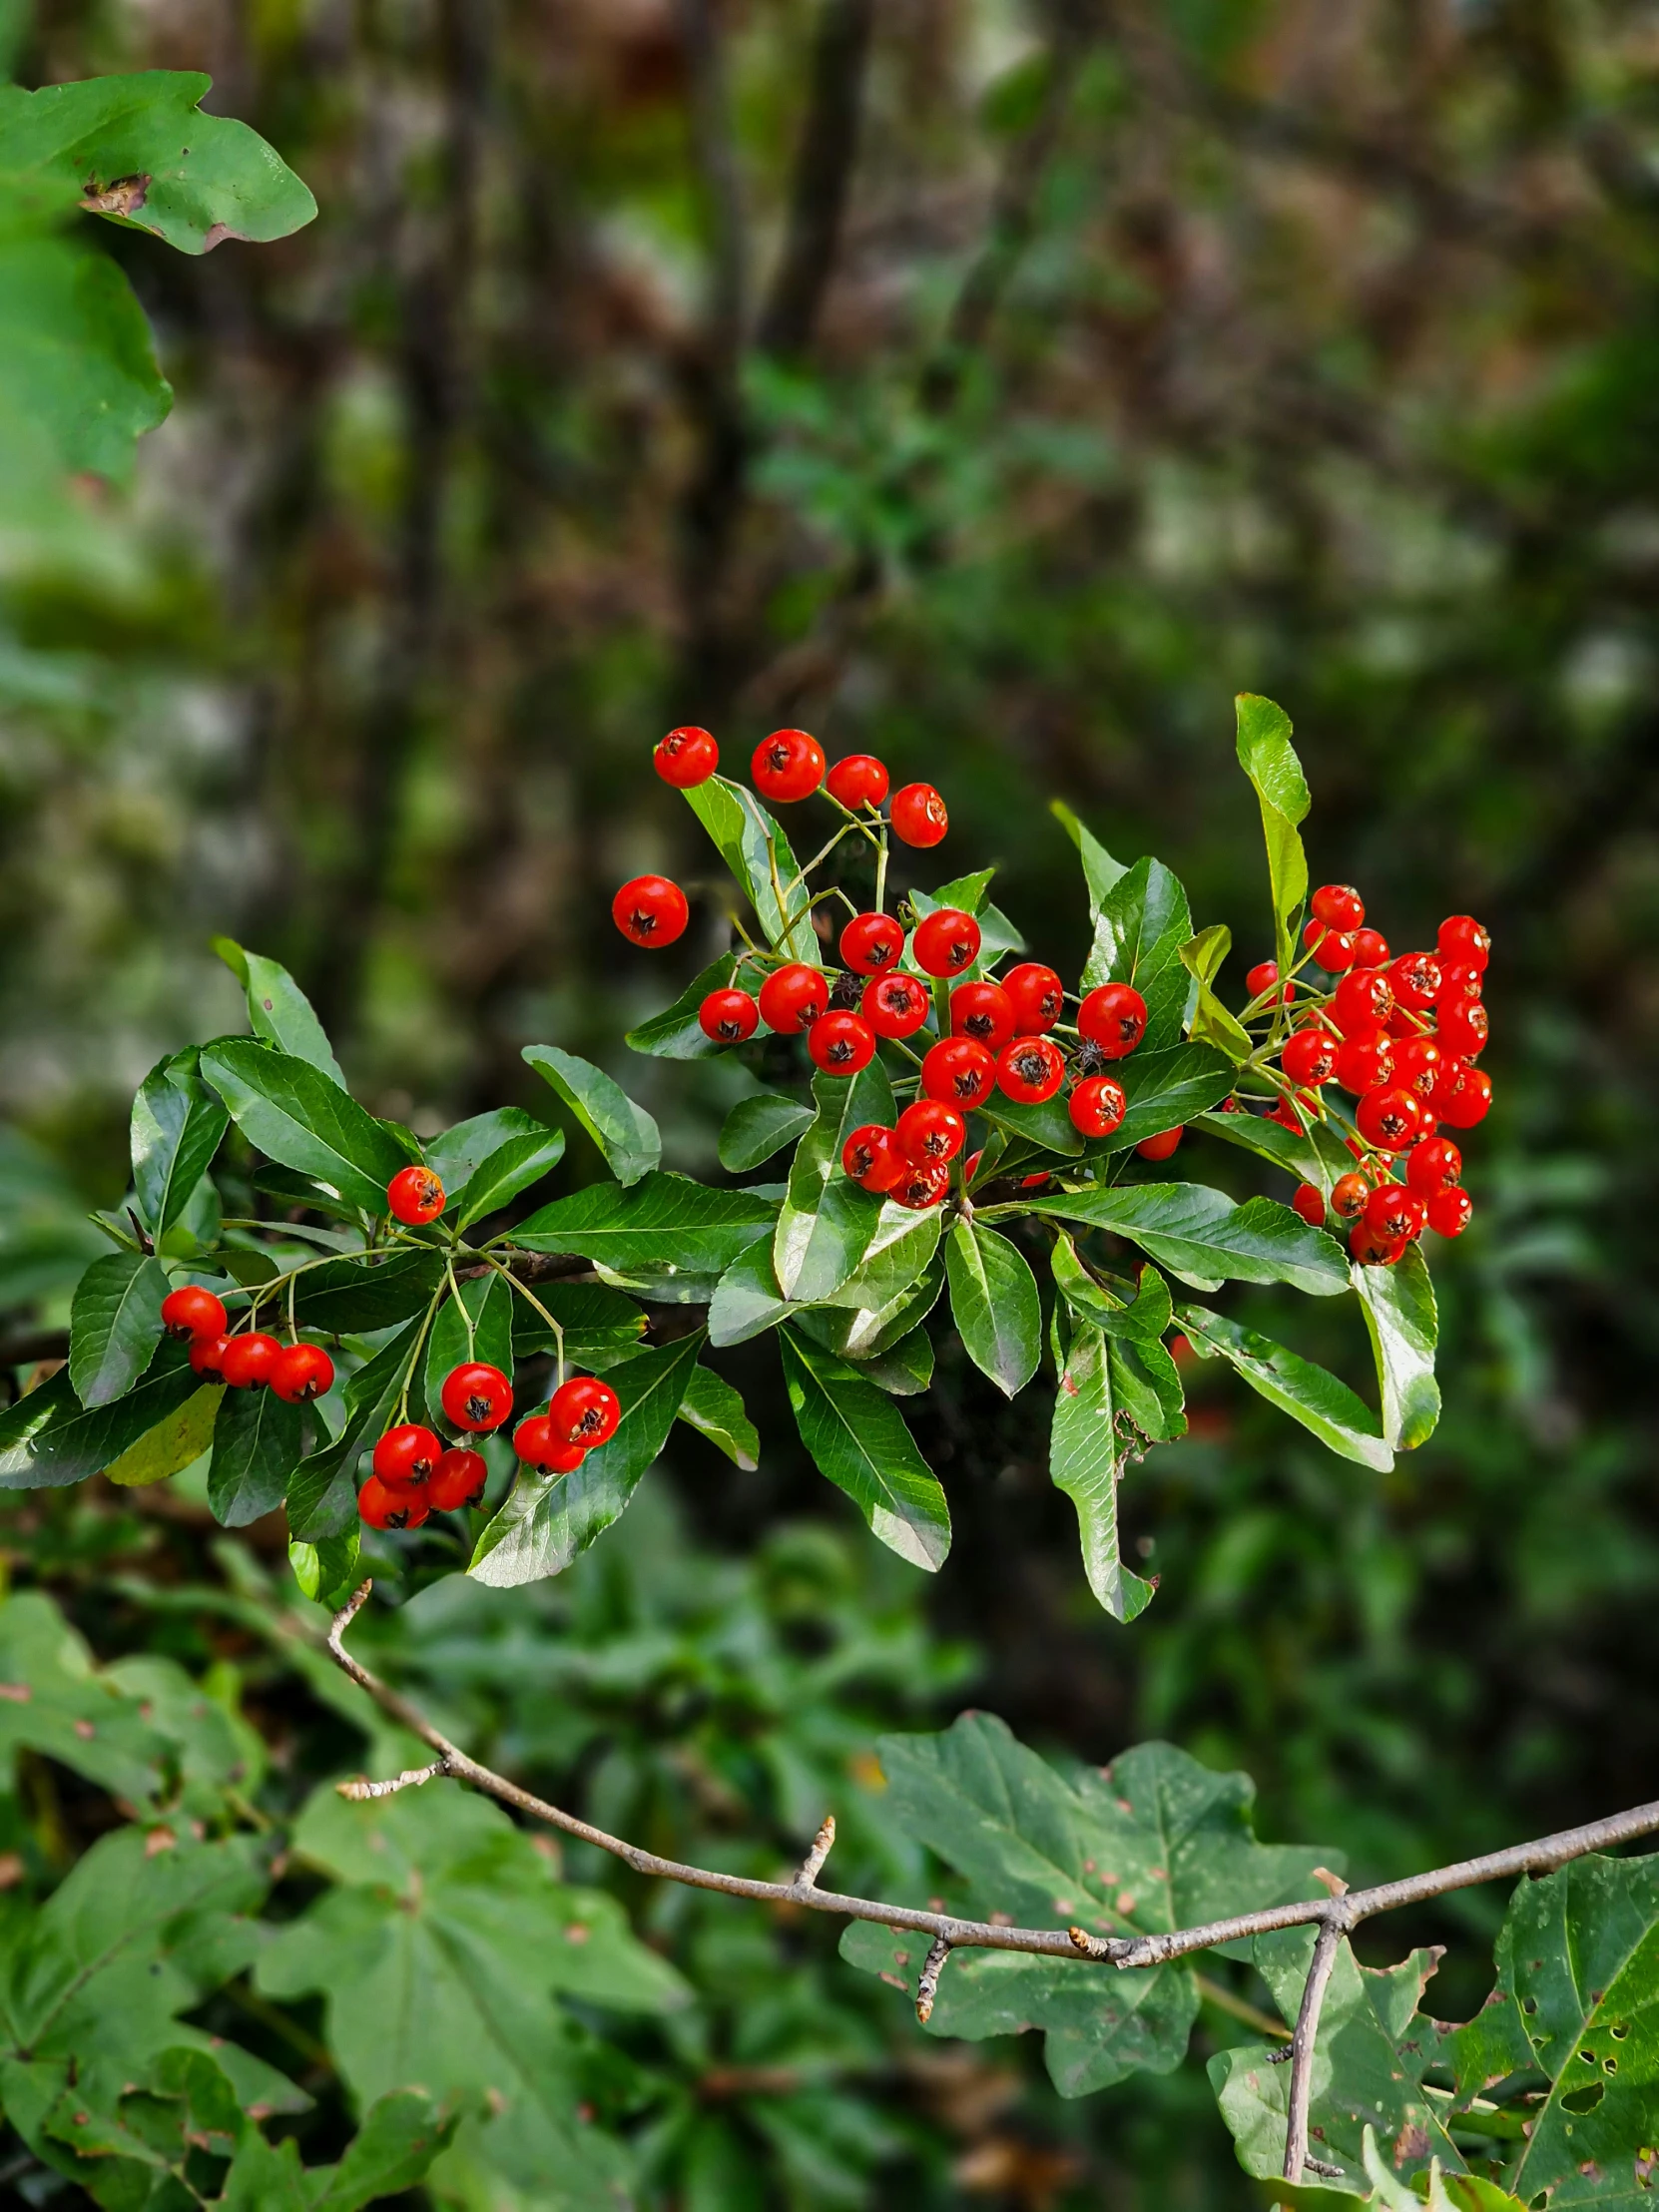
<point x="999" y="388"/>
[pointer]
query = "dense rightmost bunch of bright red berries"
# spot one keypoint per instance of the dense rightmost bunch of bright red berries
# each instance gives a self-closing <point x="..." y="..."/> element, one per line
<point x="1404" y="1036"/>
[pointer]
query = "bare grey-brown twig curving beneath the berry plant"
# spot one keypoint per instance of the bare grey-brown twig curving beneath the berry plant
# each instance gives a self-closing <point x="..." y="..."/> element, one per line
<point x="1335" y="1917"/>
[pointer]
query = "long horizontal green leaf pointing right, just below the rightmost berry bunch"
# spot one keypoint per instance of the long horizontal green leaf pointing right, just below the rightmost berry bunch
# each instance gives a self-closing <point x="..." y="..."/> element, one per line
<point x="1204" y="1238"/>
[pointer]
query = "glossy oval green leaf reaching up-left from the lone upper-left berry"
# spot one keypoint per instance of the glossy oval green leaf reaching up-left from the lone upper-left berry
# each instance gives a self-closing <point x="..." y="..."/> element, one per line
<point x="293" y="1114"/>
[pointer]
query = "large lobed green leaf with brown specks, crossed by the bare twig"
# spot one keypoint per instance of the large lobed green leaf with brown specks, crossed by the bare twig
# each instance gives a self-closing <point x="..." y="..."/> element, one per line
<point x="1156" y="1841"/>
